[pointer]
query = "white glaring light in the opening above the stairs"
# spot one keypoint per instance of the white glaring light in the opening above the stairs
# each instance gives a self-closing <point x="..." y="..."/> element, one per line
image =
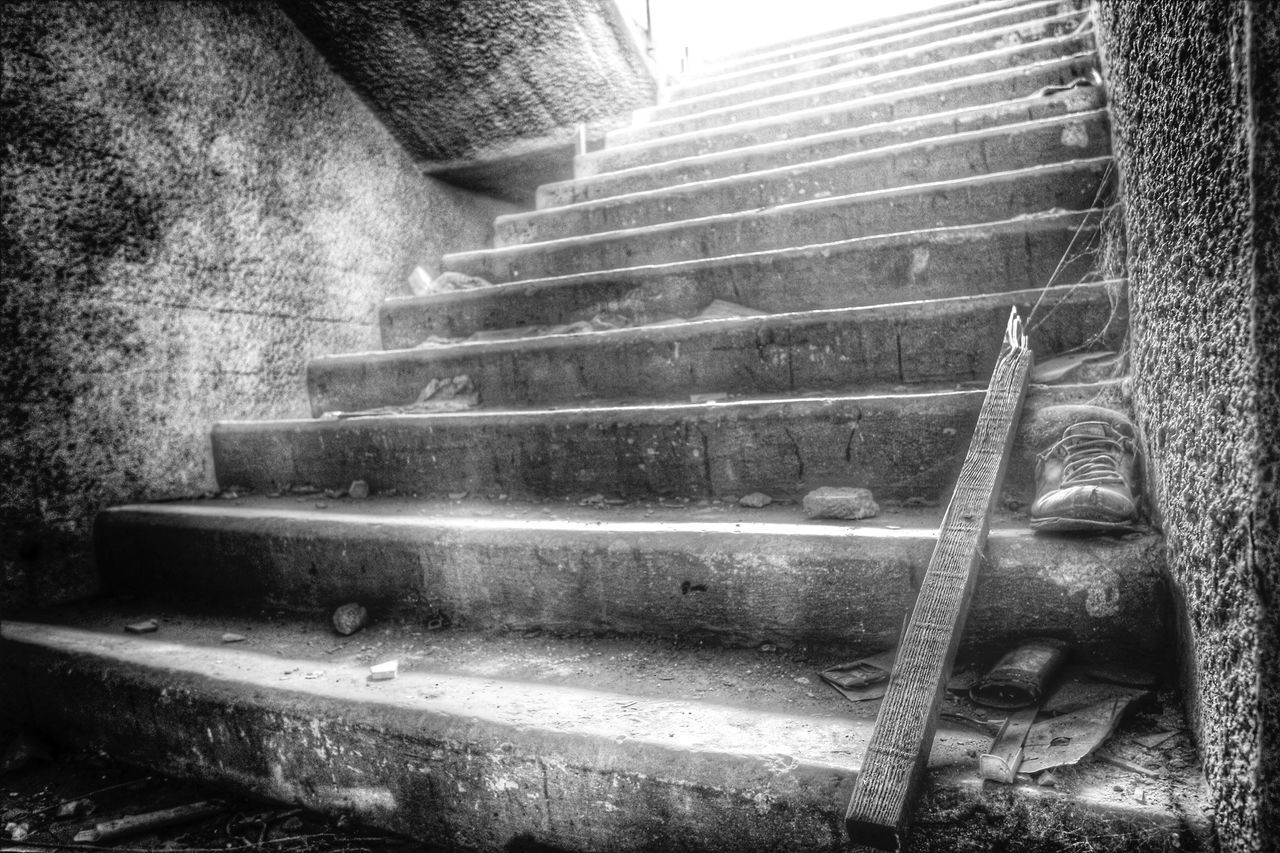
<point x="712" y="29"/>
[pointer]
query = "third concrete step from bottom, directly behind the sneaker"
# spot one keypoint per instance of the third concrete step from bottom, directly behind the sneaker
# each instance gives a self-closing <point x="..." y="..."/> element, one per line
<point x="897" y="443"/>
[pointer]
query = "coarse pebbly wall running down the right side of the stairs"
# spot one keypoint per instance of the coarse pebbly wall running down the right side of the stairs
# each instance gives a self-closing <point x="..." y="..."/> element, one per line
<point x="1183" y="80"/>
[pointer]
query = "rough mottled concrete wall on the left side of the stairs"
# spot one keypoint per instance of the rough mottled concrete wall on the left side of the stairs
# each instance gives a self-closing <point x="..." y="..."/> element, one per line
<point x="194" y="206"/>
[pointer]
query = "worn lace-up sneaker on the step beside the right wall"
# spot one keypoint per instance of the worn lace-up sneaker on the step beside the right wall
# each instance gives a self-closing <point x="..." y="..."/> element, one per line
<point x="1085" y="482"/>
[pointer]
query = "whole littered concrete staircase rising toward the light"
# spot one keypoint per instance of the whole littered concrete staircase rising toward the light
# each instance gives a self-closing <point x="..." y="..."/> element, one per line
<point x="600" y="649"/>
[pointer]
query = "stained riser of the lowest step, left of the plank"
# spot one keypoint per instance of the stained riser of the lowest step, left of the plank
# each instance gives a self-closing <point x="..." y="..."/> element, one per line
<point x="456" y="779"/>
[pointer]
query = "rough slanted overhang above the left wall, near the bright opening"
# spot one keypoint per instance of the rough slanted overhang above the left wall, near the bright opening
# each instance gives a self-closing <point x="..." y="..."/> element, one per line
<point x="460" y="80"/>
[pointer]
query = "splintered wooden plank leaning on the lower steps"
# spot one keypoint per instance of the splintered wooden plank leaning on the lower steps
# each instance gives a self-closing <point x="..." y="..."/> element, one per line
<point x="880" y="810"/>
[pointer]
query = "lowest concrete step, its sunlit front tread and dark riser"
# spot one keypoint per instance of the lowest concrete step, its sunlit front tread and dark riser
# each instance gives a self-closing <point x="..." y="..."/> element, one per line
<point x="491" y="764"/>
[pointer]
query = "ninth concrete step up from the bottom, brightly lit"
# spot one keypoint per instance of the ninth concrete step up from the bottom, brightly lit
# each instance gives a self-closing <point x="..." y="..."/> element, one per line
<point x="881" y="116"/>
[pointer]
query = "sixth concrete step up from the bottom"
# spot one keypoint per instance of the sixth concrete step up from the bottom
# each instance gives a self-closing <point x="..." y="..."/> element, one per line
<point x="1076" y="185"/>
